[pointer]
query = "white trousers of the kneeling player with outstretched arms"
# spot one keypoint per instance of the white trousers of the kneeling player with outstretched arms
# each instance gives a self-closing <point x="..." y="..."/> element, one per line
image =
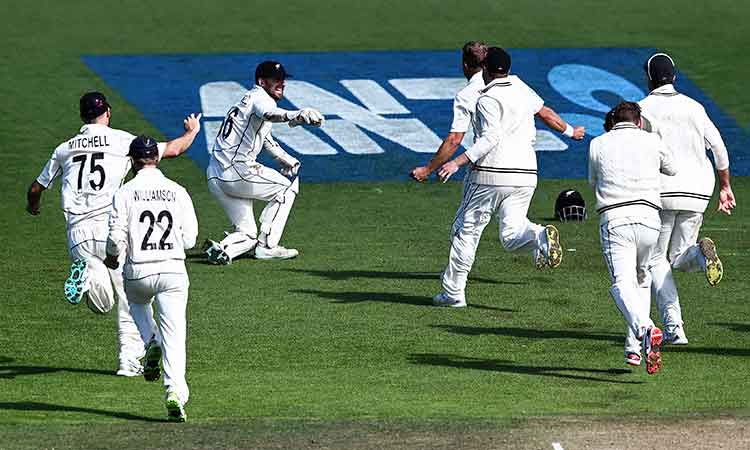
<point x="236" y="187"/>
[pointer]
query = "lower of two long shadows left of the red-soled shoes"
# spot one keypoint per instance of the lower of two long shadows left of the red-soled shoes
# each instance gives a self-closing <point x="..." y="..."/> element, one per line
<point x="497" y="365"/>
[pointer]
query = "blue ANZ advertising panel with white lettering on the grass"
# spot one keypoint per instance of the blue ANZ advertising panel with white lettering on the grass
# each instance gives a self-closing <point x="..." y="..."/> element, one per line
<point x="388" y="111"/>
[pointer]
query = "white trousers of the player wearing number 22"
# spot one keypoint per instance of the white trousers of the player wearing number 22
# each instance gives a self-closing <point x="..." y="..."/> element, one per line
<point x="170" y="291"/>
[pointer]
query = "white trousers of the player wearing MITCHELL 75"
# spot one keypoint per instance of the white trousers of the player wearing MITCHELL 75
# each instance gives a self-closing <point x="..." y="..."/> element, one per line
<point x="88" y="240"/>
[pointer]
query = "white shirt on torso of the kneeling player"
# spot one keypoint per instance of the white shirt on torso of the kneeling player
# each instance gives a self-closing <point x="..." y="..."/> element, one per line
<point x="241" y="135"/>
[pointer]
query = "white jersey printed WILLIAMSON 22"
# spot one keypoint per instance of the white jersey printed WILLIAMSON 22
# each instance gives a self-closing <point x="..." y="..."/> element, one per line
<point x="152" y="221"/>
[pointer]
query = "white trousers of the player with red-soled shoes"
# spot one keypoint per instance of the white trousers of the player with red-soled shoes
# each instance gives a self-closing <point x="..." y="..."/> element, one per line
<point x="628" y="245"/>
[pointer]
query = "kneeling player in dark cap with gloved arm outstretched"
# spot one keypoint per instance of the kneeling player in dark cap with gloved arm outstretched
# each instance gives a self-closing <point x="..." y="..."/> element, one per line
<point x="236" y="178"/>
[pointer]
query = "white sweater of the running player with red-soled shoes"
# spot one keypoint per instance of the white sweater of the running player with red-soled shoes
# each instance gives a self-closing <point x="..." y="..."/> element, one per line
<point x="624" y="170"/>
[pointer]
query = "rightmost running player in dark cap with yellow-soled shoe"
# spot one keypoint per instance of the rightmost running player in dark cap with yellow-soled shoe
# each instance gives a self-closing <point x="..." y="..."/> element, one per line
<point x="686" y="129"/>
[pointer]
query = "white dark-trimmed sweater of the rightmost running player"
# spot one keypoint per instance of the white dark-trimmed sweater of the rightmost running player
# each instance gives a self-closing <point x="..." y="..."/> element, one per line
<point x="687" y="130"/>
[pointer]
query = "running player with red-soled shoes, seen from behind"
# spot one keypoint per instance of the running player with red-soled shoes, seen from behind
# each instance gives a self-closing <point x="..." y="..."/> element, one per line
<point x="624" y="168"/>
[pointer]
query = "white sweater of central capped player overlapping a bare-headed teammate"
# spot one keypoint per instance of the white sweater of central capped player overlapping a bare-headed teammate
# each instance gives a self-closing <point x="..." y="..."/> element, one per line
<point x="503" y="152"/>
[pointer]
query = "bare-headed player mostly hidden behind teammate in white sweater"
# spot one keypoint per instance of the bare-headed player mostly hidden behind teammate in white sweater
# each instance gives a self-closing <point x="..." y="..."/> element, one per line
<point x="464" y="108"/>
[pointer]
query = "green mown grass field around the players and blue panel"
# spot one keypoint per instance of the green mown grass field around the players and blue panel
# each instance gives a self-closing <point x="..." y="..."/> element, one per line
<point x="340" y="347"/>
